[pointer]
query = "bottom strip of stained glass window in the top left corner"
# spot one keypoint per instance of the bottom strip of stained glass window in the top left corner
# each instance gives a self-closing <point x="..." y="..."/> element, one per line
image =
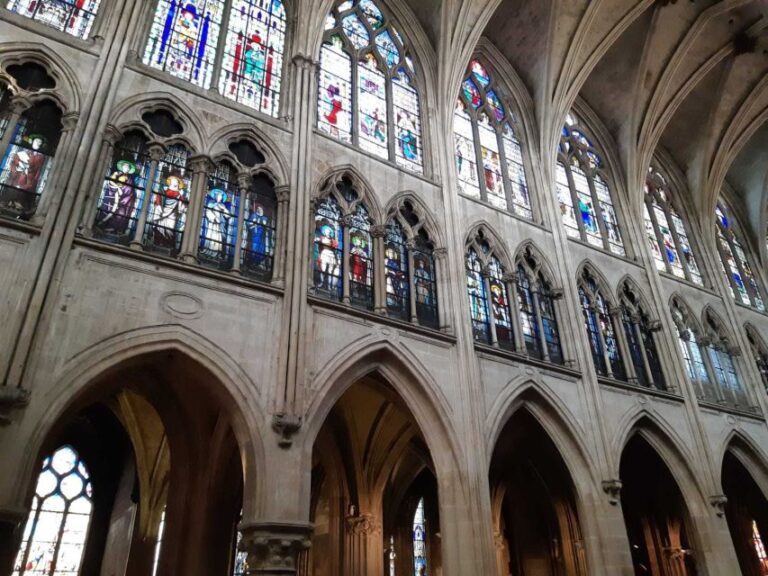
<point x="75" y="17"/>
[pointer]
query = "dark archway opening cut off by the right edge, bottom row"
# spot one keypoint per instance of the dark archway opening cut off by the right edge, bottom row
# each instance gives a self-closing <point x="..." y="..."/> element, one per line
<point x="747" y="515"/>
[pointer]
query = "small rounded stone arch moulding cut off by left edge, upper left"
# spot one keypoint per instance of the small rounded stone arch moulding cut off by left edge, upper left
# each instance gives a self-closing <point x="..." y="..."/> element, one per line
<point x="68" y="95"/>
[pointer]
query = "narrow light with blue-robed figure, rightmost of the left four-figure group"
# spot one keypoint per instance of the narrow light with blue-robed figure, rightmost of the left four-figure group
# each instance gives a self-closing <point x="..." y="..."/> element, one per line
<point x="259" y="221"/>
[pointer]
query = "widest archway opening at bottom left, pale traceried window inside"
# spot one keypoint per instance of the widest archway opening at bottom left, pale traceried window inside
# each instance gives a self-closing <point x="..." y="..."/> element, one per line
<point x="157" y="439"/>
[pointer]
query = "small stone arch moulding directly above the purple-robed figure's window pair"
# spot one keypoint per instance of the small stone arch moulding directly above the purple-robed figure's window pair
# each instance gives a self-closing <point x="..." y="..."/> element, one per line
<point x="131" y="109"/>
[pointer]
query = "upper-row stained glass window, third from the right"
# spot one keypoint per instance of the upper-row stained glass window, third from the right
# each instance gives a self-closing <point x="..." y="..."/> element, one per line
<point x="586" y="206"/>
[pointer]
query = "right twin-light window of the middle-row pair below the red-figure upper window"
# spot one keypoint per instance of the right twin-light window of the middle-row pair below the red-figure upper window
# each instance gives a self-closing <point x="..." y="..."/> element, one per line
<point x="410" y="268"/>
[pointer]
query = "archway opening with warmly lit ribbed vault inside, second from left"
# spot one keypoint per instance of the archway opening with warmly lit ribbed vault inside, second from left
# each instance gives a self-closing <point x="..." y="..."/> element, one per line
<point x="371" y="468"/>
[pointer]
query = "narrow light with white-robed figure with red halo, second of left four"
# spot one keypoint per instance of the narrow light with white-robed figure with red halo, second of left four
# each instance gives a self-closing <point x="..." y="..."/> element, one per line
<point x="169" y="201"/>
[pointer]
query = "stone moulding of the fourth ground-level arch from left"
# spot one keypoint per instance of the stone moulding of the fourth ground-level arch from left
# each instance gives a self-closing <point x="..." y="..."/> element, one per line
<point x="670" y="448"/>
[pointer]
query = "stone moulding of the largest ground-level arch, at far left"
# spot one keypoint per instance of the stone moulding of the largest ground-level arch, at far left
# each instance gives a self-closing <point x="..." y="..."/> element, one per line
<point x="83" y="371"/>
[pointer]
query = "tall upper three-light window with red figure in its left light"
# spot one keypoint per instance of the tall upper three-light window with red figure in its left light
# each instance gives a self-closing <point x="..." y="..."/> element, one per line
<point x="367" y="94"/>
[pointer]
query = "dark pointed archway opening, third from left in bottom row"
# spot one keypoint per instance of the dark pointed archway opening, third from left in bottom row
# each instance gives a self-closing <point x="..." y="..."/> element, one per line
<point x="535" y="514"/>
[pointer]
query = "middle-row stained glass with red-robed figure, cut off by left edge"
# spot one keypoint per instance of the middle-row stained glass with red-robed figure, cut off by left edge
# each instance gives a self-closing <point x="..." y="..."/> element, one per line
<point x="26" y="163"/>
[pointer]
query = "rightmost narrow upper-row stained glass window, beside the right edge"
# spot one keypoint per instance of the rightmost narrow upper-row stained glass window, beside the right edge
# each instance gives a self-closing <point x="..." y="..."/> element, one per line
<point x="742" y="282"/>
